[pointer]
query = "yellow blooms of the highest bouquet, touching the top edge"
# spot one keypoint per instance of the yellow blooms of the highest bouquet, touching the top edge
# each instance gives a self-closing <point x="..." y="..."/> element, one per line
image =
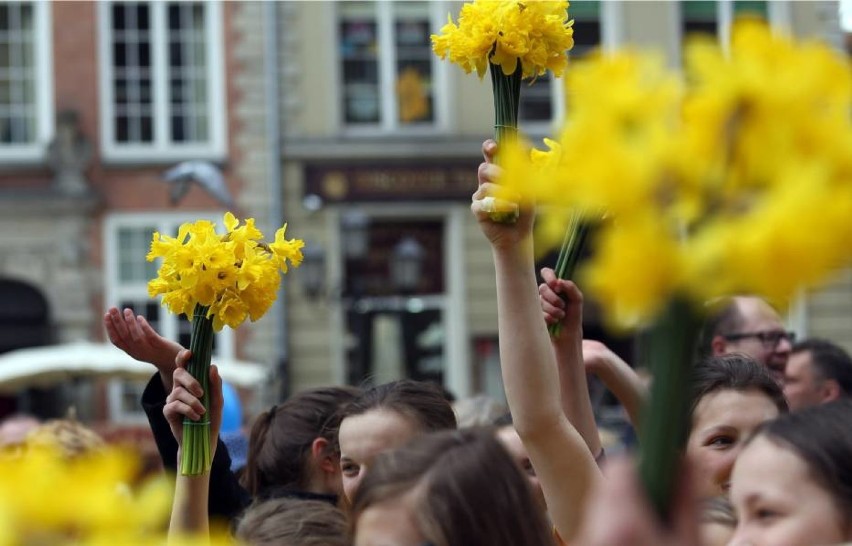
<point x="535" y="33"/>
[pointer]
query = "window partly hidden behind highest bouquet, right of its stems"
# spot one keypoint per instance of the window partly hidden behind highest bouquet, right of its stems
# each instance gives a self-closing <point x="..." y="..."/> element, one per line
<point x="541" y="100"/>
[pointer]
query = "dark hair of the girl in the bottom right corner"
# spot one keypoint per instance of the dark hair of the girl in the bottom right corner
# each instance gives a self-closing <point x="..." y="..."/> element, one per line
<point x="822" y="437"/>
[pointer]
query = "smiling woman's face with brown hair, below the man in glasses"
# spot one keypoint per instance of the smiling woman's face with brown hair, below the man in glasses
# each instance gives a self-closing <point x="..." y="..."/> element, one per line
<point x="721" y="422"/>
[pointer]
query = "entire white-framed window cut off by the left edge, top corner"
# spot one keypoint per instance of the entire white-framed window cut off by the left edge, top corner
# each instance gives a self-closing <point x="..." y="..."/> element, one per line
<point x="26" y="101"/>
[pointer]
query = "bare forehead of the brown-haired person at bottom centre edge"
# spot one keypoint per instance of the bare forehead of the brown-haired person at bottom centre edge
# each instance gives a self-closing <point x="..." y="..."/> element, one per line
<point x="389" y="523"/>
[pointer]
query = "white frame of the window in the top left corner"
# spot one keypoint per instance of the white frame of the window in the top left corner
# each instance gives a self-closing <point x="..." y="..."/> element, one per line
<point x="34" y="152"/>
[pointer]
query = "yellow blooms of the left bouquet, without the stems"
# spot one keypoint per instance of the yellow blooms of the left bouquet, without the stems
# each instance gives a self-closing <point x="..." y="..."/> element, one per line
<point x="236" y="274"/>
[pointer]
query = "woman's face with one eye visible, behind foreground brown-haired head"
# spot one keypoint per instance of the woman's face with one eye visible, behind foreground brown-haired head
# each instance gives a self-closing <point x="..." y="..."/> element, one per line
<point x="362" y="437"/>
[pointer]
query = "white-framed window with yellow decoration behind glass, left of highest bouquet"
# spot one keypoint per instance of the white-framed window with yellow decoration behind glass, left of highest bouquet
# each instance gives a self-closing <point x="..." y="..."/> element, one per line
<point x="390" y="79"/>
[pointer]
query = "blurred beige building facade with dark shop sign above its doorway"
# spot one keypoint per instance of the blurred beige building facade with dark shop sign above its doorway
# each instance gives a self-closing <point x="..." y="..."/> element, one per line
<point x="381" y="141"/>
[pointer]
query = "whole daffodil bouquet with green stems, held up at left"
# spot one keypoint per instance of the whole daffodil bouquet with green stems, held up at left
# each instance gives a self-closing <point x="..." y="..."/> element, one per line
<point x="217" y="280"/>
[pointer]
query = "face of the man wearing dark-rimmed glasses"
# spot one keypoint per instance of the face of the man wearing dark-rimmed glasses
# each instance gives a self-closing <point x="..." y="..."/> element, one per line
<point x="758" y="317"/>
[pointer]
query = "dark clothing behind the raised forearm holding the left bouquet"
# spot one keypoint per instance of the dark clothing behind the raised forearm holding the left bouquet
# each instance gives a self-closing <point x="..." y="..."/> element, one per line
<point x="228" y="499"/>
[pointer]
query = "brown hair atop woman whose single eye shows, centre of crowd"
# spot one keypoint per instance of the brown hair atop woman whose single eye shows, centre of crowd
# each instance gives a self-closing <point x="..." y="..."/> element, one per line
<point x="424" y="403"/>
